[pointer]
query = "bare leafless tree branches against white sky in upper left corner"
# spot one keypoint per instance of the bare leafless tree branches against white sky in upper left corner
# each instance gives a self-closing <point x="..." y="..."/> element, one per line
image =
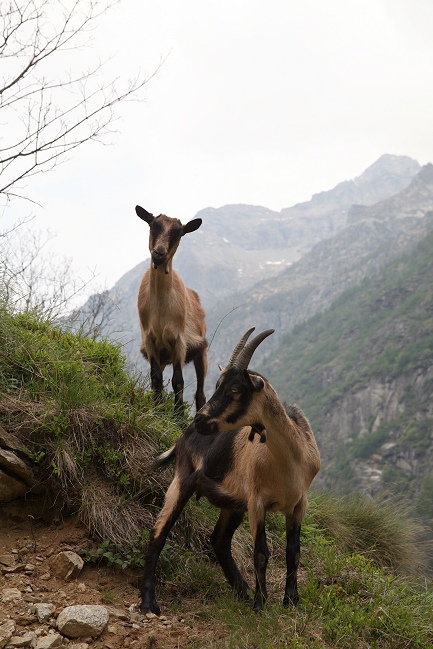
<point x="43" y="116"/>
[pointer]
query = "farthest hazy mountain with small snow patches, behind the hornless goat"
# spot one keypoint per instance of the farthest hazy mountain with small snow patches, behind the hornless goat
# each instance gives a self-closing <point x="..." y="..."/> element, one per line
<point x="241" y="246"/>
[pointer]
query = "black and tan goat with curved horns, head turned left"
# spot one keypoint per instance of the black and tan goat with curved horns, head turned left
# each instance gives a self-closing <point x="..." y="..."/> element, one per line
<point x="240" y="472"/>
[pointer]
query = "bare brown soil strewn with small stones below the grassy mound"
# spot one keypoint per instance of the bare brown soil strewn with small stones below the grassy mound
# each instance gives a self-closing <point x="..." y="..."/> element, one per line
<point x="33" y="542"/>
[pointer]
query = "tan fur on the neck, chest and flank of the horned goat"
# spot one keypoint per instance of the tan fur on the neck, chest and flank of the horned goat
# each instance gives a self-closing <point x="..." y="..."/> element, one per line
<point x="276" y="475"/>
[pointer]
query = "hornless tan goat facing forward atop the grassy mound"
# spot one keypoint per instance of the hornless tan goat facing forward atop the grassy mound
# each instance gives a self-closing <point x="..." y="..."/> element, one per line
<point x="172" y="320"/>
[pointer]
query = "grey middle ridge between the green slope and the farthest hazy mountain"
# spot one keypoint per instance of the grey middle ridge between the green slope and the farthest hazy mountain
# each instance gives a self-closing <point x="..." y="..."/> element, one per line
<point x="373" y="236"/>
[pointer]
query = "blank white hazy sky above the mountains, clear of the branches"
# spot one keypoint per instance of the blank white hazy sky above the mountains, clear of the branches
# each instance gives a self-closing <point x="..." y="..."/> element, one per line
<point x="258" y="102"/>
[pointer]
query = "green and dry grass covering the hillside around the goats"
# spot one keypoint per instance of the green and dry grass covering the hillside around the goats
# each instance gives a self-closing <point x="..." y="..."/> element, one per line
<point x="91" y="432"/>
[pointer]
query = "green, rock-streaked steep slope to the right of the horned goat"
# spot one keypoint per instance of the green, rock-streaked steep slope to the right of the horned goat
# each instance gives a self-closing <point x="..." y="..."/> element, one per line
<point x="363" y="373"/>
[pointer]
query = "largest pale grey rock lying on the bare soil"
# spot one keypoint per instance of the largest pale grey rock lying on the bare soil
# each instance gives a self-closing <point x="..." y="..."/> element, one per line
<point x="81" y="621"/>
